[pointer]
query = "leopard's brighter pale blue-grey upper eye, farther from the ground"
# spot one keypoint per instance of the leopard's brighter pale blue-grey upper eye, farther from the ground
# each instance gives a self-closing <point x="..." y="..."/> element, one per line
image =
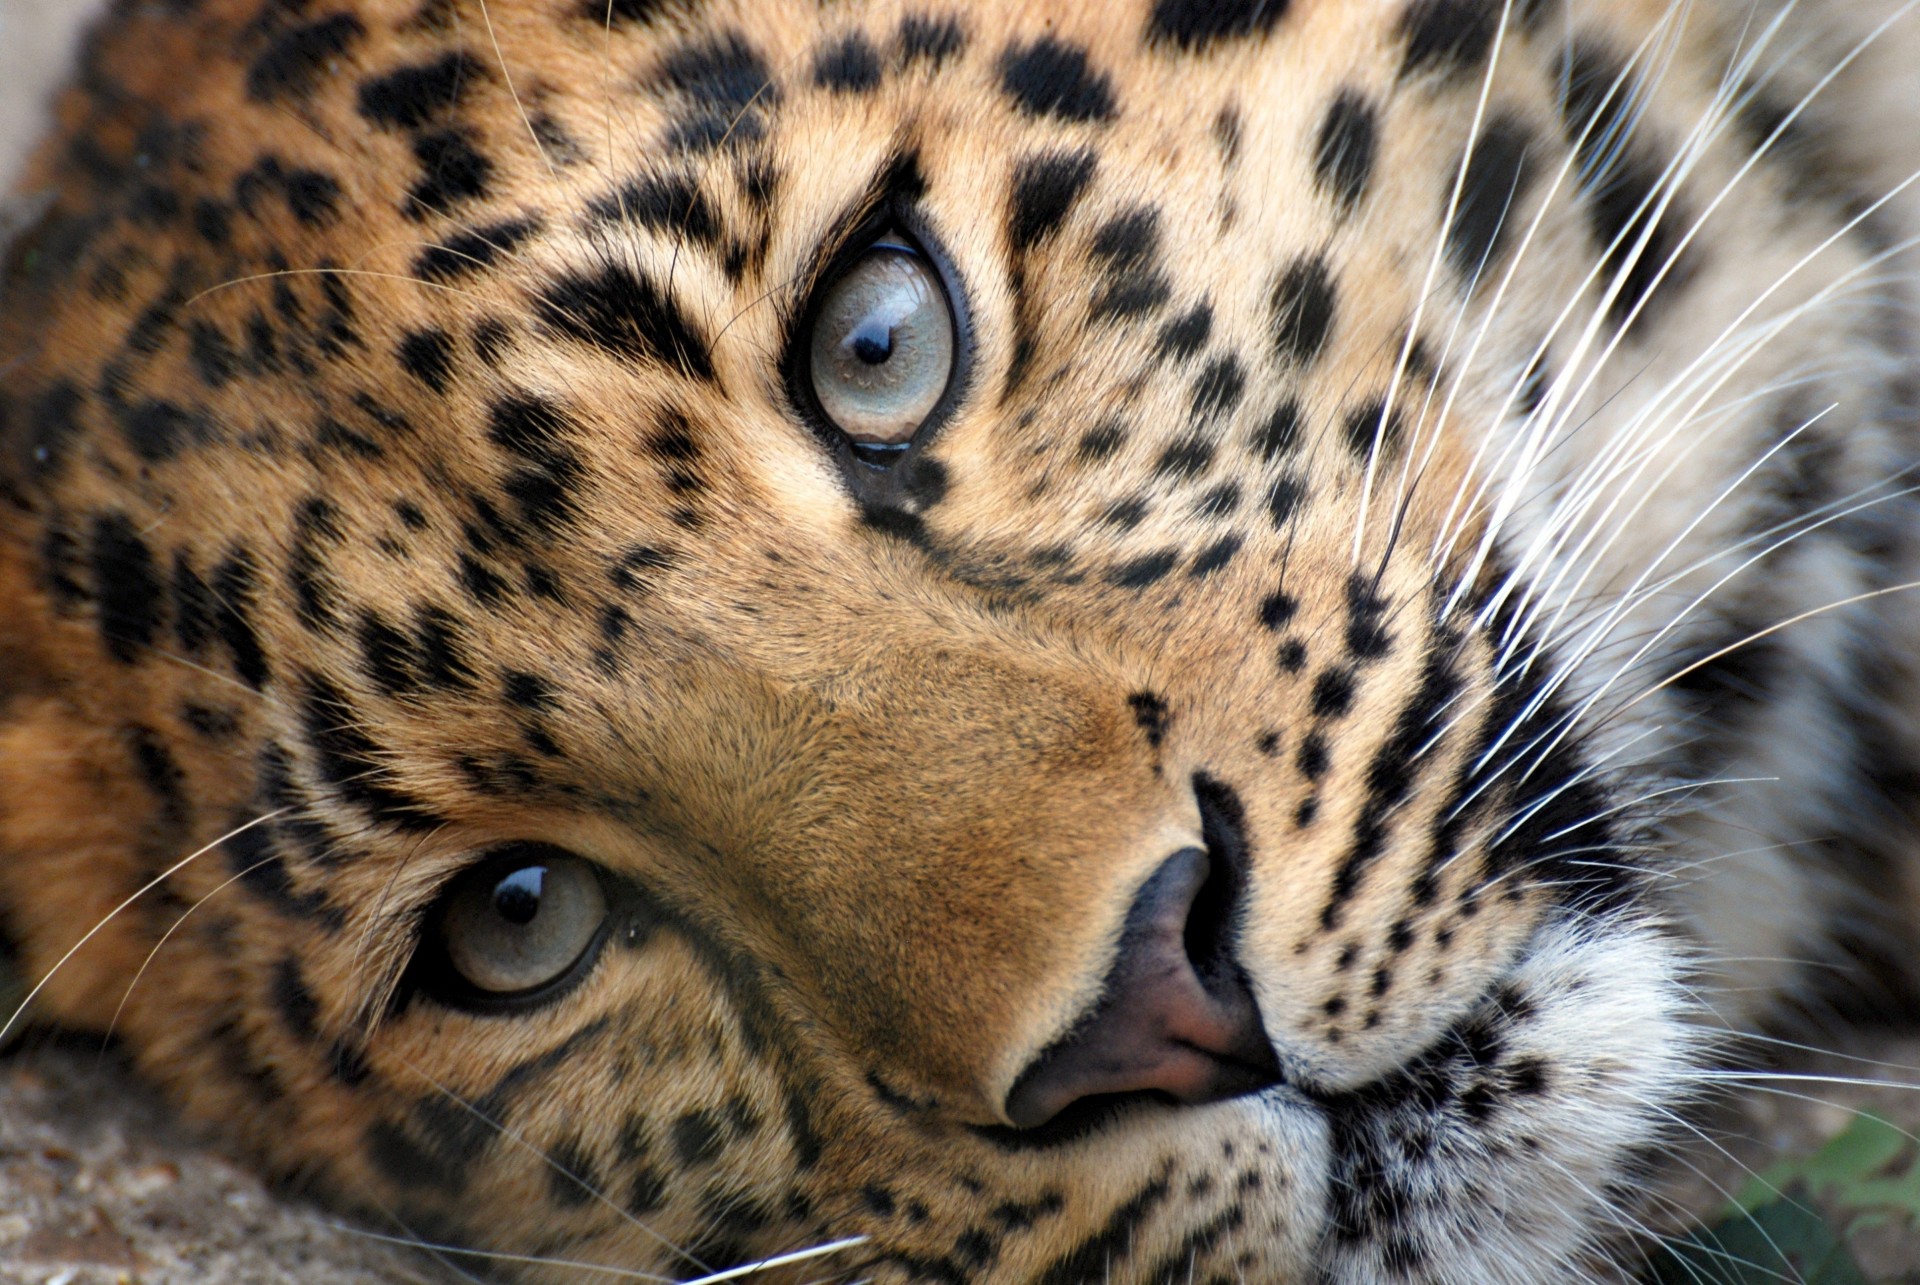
<point x="882" y="347"/>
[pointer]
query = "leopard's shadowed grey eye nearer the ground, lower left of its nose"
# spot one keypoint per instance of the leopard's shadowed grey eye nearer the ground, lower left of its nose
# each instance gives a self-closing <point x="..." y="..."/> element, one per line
<point x="521" y="921"/>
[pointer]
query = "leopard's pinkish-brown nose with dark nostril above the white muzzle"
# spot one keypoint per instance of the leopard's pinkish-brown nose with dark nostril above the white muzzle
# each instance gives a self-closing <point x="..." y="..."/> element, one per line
<point x="1176" y="1015"/>
